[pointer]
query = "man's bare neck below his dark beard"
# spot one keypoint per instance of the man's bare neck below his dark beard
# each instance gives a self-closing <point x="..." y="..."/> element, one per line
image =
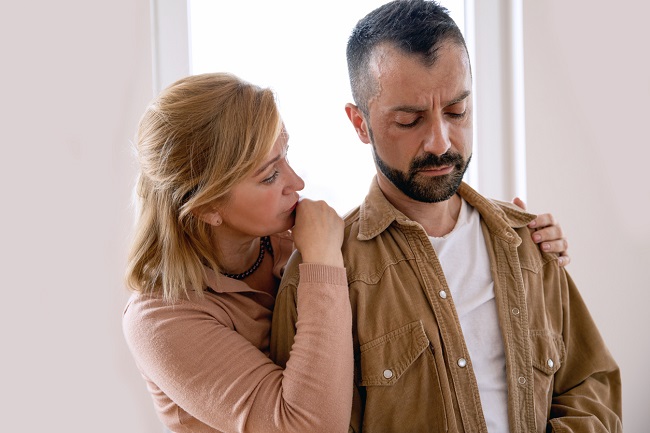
<point x="437" y="219"/>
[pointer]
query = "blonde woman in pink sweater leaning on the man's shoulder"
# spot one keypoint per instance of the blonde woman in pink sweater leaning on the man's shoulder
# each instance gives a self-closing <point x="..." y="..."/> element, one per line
<point x="217" y="201"/>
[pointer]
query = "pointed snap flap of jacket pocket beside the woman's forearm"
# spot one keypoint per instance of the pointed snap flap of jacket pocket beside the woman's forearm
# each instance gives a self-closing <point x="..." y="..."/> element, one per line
<point x="385" y="359"/>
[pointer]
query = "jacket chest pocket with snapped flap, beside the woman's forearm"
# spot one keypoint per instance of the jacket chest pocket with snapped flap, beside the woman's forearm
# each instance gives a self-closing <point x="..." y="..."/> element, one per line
<point x="400" y="384"/>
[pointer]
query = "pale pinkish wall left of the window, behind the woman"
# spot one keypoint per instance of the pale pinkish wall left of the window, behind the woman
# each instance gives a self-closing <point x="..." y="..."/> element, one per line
<point x="75" y="77"/>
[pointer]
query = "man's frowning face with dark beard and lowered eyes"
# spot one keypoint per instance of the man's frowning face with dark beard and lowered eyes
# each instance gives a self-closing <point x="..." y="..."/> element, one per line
<point x="420" y="121"/>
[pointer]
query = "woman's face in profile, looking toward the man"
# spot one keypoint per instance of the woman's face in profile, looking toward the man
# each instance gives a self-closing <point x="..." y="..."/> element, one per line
<point x="265" y="202"/>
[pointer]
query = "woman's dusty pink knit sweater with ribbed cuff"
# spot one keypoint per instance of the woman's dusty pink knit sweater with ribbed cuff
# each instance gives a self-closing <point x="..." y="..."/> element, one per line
<point x="206" y="365"/>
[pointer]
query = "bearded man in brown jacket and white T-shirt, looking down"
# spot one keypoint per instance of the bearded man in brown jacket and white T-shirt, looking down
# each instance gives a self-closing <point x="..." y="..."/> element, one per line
<point x="460" y="323"/>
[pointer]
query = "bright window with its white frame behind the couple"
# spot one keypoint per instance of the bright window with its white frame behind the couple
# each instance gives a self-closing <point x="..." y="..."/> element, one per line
<point x="298" y="49"/>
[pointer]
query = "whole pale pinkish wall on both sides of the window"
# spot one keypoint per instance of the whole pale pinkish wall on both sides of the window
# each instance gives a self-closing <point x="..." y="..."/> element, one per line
<point x="76" y="76"/>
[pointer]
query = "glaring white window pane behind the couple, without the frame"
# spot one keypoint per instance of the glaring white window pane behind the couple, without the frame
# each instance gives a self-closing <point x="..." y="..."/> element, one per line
<point x="298" y="49"/>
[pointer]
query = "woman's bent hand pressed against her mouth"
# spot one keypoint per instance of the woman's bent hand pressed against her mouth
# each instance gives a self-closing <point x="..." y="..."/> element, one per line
<point x="318" y="233"/>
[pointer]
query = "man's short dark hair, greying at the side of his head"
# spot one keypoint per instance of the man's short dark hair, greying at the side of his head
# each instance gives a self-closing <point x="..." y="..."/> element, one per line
<point x="413" y="26"/>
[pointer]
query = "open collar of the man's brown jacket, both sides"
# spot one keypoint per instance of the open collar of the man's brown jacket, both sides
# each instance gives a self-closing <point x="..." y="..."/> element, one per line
<point x="376" y="214"/>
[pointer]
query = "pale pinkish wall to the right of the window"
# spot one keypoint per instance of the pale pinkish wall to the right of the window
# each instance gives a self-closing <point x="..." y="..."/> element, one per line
<point x="587" y="108"/>
